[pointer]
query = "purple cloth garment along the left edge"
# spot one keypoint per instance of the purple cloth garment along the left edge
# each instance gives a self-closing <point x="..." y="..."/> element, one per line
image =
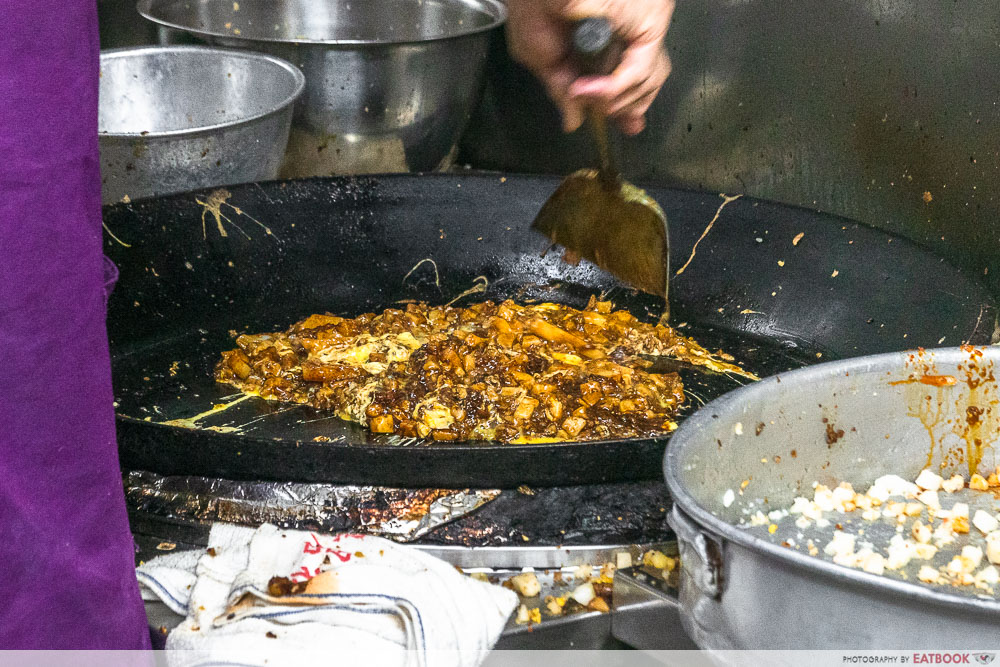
<point x="66" y="554"/>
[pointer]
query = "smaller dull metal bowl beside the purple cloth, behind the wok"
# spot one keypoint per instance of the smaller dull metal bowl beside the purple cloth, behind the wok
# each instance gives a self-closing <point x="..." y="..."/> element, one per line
<point x="183" y="117"/>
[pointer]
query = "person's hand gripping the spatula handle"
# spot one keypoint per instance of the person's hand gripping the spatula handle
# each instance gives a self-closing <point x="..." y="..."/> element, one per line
<point x="538" y="35"/>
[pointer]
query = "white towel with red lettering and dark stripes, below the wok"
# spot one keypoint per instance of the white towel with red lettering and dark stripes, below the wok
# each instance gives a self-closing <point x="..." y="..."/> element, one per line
<point x="359" y="600"/>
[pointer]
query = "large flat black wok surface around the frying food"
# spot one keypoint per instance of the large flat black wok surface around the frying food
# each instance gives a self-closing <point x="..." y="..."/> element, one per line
<point x="201" y="265"/>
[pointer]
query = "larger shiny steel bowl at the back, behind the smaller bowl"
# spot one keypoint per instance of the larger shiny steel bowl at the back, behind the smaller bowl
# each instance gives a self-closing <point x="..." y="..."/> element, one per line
<point x="390" y="84"/>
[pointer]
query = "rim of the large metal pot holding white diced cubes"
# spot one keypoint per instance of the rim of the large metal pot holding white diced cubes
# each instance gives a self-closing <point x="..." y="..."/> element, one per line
<point x="729" y="532"/>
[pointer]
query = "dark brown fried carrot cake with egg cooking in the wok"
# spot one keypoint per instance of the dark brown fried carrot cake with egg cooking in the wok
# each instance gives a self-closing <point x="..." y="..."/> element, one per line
<point x="508" y="372"/>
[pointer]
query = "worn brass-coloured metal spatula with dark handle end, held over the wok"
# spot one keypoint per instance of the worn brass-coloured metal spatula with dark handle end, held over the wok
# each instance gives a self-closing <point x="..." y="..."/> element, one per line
<point x="595" y="213"/>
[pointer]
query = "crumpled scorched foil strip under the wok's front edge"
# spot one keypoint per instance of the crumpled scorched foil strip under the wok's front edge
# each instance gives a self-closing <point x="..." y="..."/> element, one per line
<point x="398" y="514"/>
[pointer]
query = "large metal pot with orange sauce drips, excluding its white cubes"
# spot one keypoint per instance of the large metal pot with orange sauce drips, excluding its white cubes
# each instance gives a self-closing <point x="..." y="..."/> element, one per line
<point x="769" y="442"/>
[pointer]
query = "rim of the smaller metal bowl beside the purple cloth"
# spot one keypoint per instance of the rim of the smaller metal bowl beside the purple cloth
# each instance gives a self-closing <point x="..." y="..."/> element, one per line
<point x="299" y="78"/>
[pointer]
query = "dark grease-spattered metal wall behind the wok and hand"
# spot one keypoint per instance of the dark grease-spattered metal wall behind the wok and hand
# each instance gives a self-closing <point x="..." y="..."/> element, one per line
<point x="857" y="107"/>
